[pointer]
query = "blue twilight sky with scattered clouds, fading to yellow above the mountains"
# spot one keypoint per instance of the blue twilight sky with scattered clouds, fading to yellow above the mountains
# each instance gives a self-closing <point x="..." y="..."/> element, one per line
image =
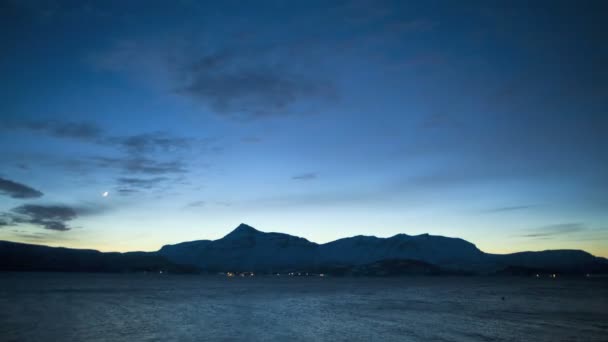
<point x="130" y="125"/>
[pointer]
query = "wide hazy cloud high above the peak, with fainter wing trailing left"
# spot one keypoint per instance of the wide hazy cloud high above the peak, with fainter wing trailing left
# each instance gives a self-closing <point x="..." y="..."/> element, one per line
<point x="239" y="81"/>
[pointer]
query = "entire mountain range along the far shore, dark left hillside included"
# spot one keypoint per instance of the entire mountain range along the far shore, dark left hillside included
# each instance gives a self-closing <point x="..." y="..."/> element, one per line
<point x="248" y="249"/>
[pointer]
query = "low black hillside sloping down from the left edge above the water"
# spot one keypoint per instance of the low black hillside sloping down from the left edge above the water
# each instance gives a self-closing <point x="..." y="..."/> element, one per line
<point x="25" y="257"/>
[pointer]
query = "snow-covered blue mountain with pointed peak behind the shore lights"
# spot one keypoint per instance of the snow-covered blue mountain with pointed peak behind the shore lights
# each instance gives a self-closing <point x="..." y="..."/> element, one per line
<point x="248" y="249"/>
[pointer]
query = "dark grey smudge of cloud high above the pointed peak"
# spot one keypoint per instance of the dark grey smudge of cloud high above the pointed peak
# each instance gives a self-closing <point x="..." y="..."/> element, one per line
<point x="245" y="86"/>
